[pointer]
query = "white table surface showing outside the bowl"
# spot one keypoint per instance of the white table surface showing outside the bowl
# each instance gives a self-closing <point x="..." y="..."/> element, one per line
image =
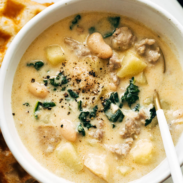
<point x="172" y="6"/>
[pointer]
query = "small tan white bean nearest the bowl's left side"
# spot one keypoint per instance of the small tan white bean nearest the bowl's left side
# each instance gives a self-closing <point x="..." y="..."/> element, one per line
<point x="38" y="90"/>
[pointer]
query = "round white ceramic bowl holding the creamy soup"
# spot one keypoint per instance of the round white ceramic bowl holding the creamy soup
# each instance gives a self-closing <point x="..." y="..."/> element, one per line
<point x="143" y="11"/>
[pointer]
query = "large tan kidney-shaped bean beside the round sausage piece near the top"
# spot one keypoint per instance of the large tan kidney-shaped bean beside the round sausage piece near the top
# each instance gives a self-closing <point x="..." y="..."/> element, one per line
<point x="98" y="46"/>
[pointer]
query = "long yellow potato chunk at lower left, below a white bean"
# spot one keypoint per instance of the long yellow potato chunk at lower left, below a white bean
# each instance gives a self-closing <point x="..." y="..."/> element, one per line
<point x="67" y="154"/>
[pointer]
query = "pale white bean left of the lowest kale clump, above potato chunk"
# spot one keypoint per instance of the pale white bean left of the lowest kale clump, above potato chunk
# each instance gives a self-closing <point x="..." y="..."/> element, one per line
<point x="67" y="130"/>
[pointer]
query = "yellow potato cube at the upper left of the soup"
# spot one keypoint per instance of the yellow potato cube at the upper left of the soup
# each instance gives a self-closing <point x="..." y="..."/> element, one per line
<point x="55" y="54"/>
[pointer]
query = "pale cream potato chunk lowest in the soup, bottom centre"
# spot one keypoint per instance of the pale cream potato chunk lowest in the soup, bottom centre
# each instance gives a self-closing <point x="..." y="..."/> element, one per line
<point x="98" y="165"/>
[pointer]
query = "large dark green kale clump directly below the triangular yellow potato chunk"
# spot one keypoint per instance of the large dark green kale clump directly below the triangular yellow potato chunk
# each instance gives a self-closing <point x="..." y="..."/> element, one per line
<point x="131" y="93"/>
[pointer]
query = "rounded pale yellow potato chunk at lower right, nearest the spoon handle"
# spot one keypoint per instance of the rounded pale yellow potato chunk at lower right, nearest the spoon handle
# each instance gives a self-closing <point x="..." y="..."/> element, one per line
<point x="142" y="153"/>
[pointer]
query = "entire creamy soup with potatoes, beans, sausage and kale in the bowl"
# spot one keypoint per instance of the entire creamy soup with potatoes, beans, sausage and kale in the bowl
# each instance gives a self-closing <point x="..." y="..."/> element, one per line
<point x="82" y="98"/>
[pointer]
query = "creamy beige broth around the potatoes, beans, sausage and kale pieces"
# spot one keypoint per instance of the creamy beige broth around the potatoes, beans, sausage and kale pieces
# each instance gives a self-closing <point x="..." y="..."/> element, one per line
<point x="168" y="84"/>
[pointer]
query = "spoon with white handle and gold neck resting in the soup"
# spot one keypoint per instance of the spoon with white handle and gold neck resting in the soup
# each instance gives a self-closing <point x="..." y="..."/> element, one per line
<point x="168" y="143"/>
